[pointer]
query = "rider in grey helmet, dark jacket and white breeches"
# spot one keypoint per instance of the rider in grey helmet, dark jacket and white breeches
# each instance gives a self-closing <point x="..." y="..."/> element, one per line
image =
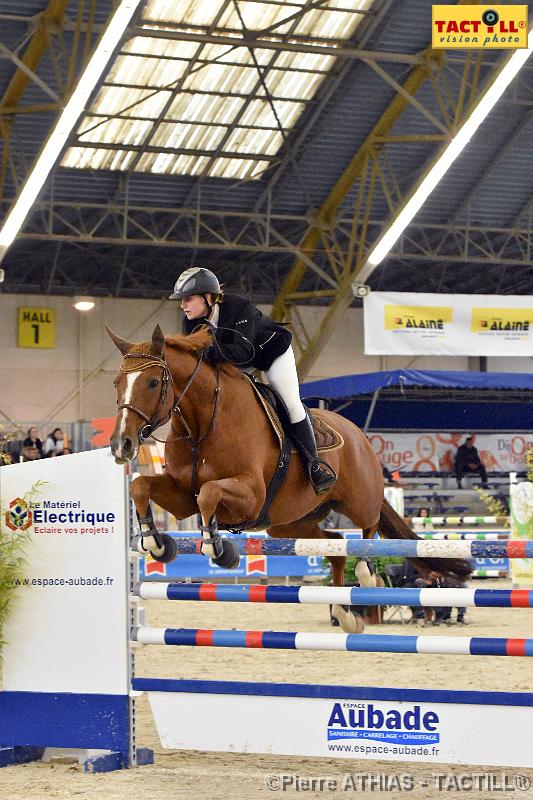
<point x="245" y="337"/>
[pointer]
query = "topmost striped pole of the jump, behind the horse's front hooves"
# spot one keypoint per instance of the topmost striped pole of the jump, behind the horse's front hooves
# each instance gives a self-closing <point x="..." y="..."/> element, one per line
<point x="369" y="548"/>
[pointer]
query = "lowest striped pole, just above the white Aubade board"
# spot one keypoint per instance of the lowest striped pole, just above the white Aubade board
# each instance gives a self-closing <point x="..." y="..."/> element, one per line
<point x="362" y="643"/>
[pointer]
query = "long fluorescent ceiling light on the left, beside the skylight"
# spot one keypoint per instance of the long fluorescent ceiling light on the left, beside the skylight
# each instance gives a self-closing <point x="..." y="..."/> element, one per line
<point x="66" y="122"/>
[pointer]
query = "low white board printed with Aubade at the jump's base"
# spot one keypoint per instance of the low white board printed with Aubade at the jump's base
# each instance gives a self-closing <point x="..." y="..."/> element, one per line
<point x="415" y="727"/>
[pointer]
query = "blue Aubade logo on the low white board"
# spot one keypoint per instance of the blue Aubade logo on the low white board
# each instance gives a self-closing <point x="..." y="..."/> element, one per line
<point x="364" y="721"/>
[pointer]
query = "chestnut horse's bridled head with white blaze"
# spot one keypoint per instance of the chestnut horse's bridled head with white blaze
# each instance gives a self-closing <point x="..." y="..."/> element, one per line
<point x="144" y="393"/>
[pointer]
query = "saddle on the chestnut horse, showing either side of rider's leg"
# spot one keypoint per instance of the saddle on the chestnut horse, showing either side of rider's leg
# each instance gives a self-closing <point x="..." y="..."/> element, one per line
<point x="327" y="438"/>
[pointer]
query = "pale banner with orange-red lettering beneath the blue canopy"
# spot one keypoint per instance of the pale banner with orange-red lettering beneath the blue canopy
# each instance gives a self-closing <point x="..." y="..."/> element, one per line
<point x="435" y="452"/>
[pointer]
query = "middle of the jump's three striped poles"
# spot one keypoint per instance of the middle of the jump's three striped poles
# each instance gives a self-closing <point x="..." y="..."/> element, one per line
<point x="346" y="595"/>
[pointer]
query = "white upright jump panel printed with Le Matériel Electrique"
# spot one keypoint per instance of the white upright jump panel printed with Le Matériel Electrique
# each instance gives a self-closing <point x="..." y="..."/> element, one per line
<point x="69" y="621"/>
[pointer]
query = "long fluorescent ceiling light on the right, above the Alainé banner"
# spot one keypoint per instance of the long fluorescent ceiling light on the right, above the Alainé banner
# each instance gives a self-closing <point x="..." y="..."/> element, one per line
<point x="486" y="103"/>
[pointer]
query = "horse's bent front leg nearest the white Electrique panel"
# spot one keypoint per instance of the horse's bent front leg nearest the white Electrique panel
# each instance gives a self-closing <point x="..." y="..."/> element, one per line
<point x="168" y="494"/>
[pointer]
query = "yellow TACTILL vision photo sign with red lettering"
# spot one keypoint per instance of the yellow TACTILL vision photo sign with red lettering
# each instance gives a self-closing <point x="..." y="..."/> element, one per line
<point x="486" y="27"/>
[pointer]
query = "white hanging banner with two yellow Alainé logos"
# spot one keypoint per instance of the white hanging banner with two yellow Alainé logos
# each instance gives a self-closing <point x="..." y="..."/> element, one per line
<point x="405" y="323"/>
